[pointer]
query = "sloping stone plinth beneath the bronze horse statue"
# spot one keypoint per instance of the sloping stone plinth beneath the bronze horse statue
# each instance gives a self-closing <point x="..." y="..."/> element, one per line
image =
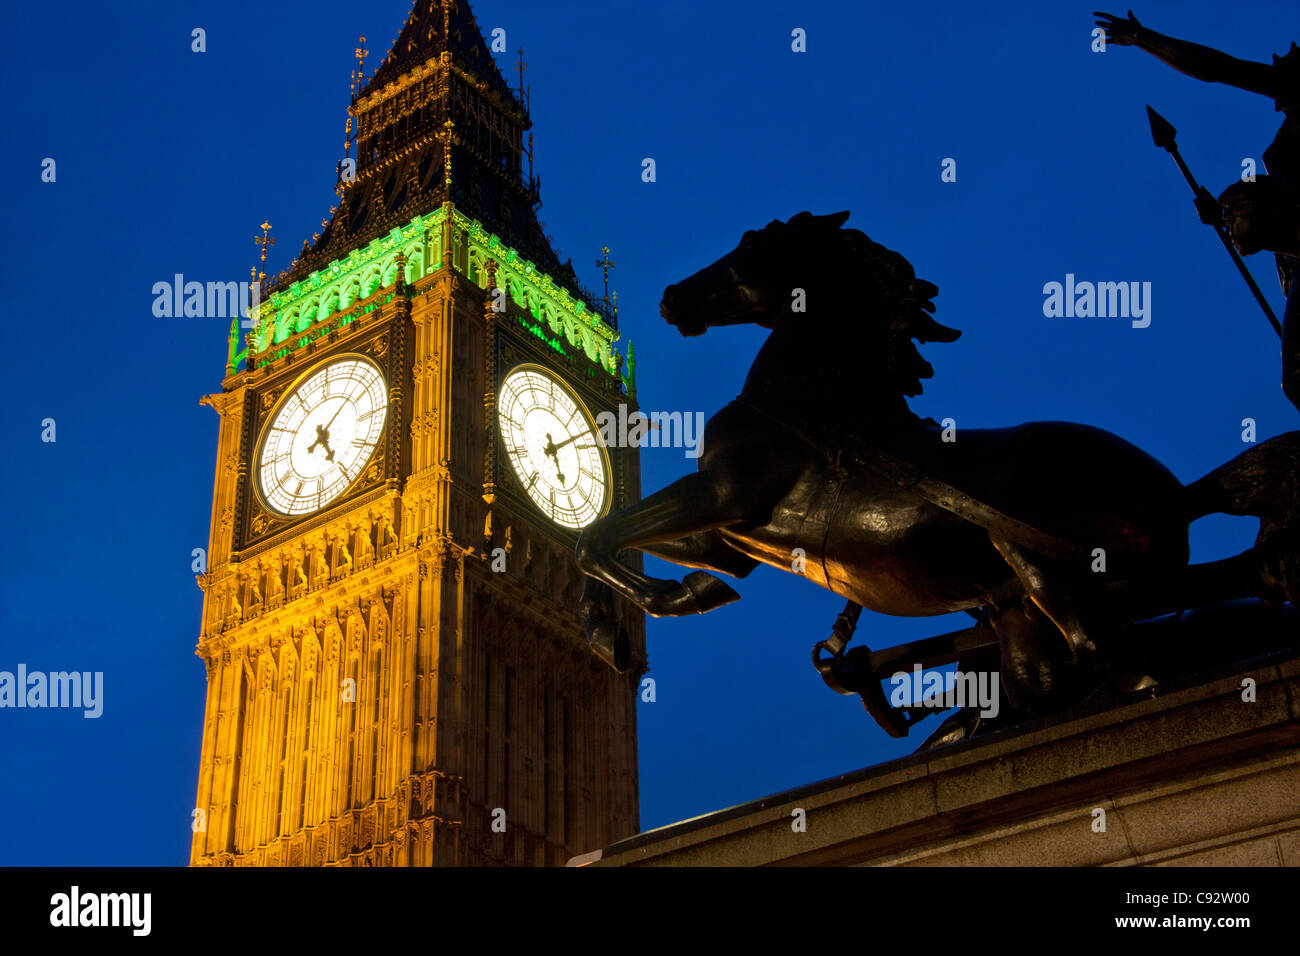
<point x="1193" y="776"/>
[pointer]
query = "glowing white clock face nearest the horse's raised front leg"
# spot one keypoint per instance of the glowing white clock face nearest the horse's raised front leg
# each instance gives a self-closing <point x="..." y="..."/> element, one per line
<point x="553" y="447"/>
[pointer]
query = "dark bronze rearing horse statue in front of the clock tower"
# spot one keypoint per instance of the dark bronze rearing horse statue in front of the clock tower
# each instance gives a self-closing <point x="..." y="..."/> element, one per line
<point x="820" y="466"/>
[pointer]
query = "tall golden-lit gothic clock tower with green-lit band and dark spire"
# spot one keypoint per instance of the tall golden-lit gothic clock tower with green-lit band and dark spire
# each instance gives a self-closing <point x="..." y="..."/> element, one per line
<point x="397" y="673"/>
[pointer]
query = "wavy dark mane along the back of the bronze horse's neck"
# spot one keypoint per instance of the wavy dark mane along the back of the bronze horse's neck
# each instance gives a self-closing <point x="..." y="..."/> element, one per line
<point x="902" y="306"/>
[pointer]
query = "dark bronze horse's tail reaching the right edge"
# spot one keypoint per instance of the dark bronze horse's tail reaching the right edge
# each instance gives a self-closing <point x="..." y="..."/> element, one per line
<point x="1263" y="482"/>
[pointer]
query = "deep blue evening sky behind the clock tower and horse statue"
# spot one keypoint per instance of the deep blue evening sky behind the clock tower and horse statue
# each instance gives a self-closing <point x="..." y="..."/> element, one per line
<point x="168" y="161"/>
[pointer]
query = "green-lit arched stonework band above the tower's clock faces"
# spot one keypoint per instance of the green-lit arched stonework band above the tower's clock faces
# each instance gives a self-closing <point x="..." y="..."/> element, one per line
<point x="320" y="304"/>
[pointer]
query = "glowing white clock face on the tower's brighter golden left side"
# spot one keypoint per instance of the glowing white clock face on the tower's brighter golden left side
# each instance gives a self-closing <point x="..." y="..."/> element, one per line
<point x="322" y="436"/>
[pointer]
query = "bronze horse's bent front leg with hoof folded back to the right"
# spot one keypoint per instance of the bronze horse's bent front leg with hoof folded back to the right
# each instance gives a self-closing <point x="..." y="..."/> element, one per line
<point x="688" y="507"/>
